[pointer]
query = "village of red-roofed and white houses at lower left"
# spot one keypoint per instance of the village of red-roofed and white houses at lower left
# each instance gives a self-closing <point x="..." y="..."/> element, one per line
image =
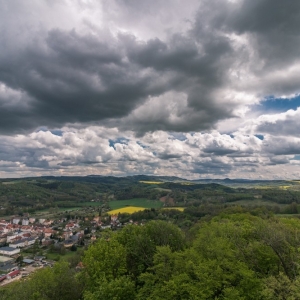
<point x="28" y="244"/>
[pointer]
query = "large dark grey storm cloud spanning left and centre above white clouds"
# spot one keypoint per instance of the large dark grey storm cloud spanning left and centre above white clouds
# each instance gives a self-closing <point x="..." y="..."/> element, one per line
<point x="73" y="78"/>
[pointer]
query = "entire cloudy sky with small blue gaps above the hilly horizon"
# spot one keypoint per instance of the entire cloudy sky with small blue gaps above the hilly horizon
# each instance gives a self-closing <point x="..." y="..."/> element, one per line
<point x="195" y="89"/>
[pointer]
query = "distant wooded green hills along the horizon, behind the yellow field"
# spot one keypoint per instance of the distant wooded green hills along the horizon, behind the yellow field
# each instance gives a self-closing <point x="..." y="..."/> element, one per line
<point x="31" y="195"/>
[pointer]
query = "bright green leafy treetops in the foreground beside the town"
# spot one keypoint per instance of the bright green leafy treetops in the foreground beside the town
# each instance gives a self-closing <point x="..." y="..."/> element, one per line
<point x="233" y="255"/>
